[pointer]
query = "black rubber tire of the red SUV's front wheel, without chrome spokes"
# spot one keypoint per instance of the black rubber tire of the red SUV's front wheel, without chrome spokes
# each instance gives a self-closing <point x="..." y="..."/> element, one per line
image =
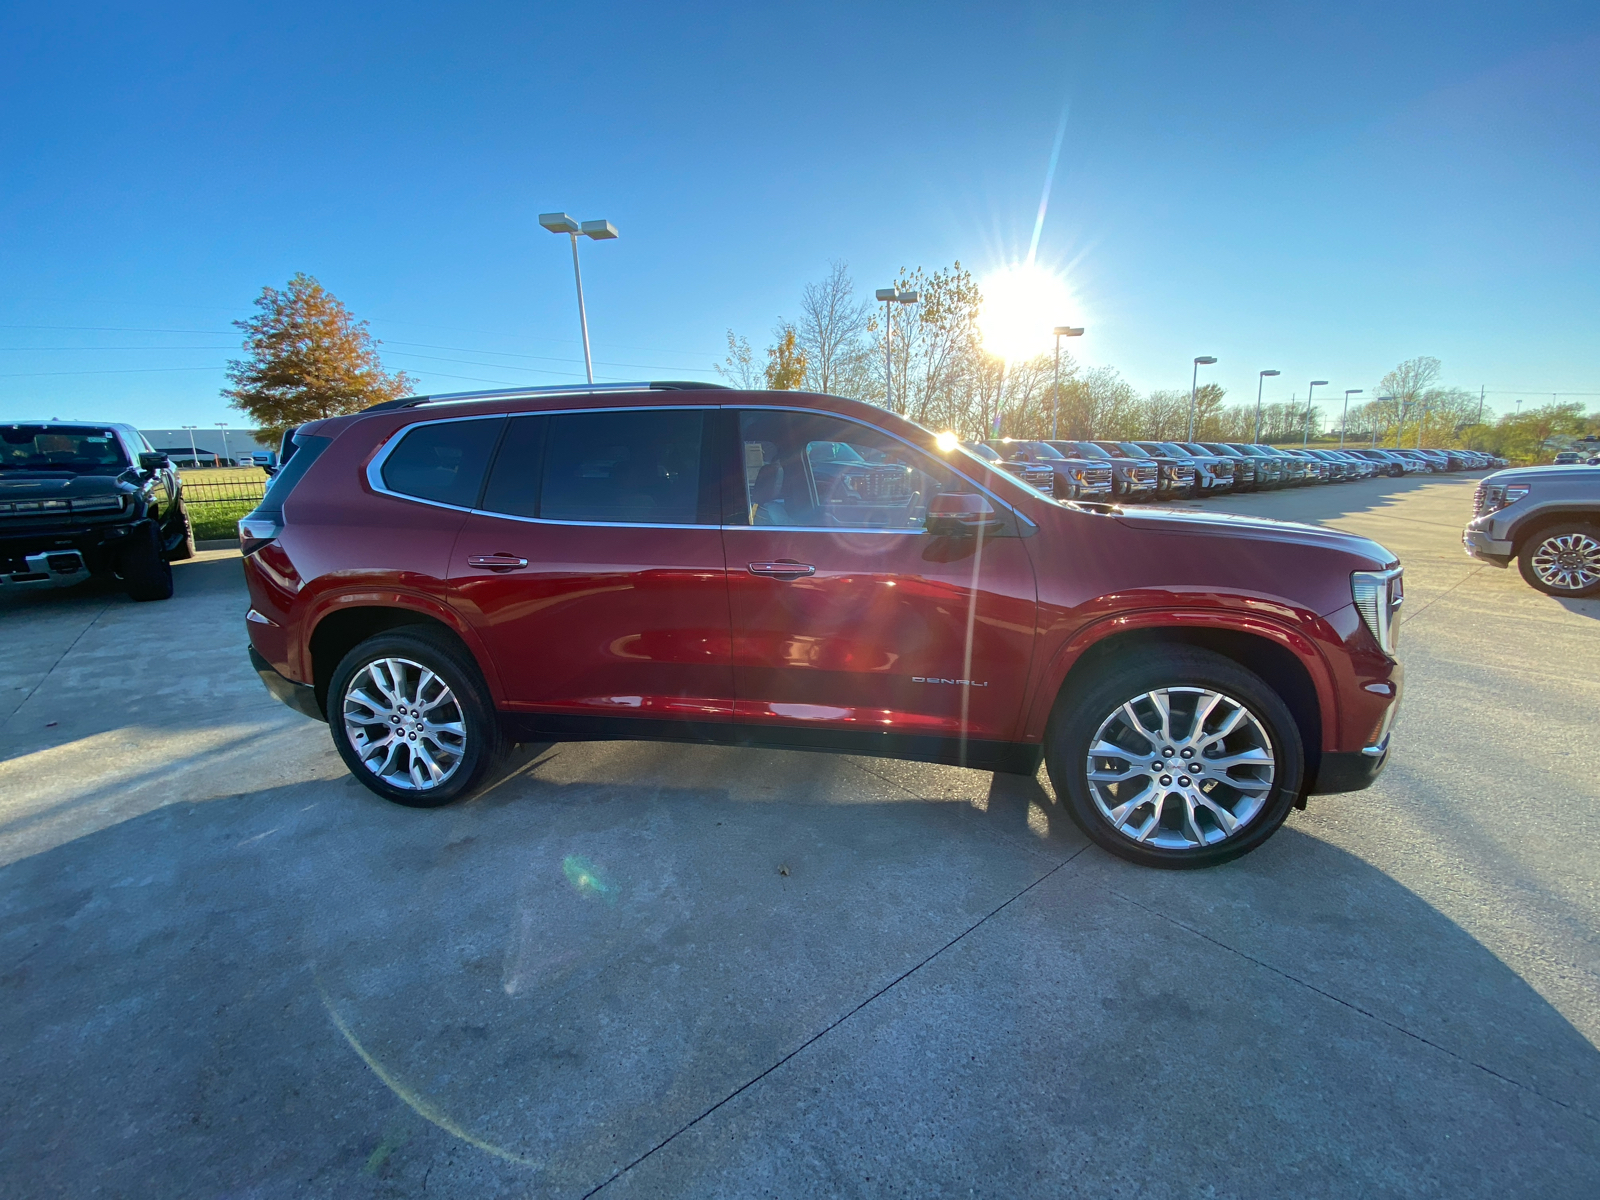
<point x="1129" y="681"/>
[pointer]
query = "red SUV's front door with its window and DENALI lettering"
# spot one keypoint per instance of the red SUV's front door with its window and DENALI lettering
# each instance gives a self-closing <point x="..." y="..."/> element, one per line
<point x="846" y="610"/>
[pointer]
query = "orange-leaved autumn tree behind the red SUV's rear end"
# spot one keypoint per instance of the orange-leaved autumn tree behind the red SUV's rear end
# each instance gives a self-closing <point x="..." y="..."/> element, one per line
<point x="308" y="359"/>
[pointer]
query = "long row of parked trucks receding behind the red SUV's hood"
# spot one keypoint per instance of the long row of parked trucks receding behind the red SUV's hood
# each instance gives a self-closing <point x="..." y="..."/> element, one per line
<point x="1164" y="471"/>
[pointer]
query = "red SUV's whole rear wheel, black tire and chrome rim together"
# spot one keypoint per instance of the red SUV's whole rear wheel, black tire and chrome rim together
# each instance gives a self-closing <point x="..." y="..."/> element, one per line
<point x="412" y="719"/>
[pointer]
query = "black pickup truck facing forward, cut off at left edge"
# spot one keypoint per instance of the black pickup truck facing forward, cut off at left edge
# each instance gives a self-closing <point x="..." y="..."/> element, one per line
<point x="82" y="500"/>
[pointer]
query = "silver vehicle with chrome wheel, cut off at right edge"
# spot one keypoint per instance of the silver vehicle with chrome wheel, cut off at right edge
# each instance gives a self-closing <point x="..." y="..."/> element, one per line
<point x="1548" y="519"/>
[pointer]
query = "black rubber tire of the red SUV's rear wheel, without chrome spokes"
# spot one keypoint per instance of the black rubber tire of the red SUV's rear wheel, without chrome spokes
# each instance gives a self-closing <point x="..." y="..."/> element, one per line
<point x="481" y="750"/>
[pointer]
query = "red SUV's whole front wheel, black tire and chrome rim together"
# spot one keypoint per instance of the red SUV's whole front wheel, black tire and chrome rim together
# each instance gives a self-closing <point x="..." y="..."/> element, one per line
<point x="1177" y="759"/>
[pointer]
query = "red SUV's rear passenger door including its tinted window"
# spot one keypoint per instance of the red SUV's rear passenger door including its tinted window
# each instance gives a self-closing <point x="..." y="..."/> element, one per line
<point x="594" y="567"/>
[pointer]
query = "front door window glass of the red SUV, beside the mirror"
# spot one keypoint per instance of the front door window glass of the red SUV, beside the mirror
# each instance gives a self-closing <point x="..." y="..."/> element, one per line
<point x="804" y="470"/>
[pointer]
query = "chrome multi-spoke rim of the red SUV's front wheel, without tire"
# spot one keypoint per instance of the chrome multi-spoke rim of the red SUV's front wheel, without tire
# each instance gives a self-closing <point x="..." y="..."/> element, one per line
<point x="1182" y="769"/>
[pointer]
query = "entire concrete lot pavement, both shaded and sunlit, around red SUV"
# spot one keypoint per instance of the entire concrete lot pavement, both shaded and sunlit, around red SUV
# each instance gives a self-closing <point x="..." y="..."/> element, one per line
<point x="228" y="969"/>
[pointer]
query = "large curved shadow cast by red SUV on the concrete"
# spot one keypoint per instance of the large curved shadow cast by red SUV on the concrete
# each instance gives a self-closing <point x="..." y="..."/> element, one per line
<point x="681" y="959"/>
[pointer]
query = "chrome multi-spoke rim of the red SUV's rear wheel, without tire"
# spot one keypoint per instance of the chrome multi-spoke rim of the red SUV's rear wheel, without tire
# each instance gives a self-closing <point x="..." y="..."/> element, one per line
<point x="404" y="724"/>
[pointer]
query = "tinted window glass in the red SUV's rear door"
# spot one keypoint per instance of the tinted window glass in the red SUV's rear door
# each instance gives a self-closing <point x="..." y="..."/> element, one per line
<point x="638" y="468"/>
